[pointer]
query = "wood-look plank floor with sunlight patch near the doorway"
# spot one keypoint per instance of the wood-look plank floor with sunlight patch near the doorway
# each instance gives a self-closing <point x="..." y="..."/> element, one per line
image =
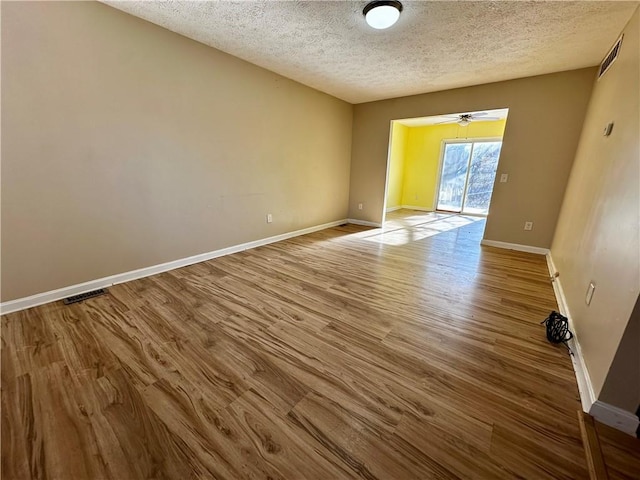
<point x="411" y="353"/>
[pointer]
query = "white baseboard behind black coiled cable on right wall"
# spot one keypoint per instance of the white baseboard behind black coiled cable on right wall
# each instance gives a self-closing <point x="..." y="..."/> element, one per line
<point x="585" y="387"/>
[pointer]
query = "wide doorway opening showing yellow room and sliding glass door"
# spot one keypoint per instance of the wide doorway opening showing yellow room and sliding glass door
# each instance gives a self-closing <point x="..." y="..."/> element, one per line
<point x="445" y="164"/>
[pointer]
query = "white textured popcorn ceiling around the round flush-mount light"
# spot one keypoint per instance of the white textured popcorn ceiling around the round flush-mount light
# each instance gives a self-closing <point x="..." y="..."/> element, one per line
<point x="434" y="46"/>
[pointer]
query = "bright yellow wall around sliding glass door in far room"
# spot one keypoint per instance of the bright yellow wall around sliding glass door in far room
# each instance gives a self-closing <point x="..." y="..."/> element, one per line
<point x="422" y="156"/>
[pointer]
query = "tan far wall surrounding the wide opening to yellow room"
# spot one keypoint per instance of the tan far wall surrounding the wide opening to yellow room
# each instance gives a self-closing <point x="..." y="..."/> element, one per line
<point x="545" y="120"/>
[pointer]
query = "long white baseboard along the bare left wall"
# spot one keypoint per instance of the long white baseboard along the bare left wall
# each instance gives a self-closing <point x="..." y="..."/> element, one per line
<point x="53" y="295"/>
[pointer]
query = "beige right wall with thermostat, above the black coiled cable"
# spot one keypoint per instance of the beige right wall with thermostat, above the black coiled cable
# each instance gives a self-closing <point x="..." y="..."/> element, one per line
<point x="597" y="238"/>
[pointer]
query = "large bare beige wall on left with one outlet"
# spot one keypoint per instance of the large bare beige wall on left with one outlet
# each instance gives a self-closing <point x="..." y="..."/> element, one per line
<point x="125" y="145"/>
